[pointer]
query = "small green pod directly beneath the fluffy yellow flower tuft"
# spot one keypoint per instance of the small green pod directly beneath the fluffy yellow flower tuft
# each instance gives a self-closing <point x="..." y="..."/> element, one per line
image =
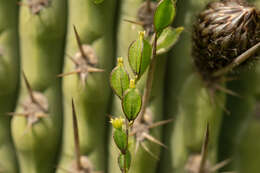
<point x="120" y="139"/>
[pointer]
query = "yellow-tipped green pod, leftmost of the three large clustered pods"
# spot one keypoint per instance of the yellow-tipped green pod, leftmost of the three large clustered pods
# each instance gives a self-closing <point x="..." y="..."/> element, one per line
<point x="119" y="79"/>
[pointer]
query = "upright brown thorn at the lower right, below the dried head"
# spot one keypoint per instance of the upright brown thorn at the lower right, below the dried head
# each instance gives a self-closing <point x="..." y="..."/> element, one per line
<point x="204" y="150"/>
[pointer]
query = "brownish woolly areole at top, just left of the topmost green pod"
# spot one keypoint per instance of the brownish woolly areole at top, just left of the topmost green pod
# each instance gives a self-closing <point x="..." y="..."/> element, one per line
<point x="145" y="16"/>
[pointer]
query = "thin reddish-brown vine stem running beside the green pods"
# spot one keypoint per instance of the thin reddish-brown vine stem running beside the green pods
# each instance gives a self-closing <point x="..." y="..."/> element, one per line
<point x="149" y="81"/>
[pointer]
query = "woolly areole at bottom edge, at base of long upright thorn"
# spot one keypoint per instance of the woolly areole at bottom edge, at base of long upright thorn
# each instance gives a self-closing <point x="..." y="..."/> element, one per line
<point x="87" y="166"/>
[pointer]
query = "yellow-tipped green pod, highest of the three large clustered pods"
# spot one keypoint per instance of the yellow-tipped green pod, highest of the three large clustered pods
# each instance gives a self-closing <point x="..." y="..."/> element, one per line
<point x="139" y="55"/>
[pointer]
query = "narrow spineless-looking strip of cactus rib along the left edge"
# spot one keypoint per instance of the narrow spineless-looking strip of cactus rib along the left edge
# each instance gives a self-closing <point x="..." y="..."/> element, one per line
<point x="9" y="64"/>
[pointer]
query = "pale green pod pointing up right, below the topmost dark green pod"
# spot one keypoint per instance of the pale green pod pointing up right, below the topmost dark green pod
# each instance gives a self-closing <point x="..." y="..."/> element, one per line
<point x="168" y="38"/>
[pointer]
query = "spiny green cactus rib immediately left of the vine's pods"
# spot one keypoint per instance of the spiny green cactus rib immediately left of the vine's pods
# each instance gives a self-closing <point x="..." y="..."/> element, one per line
<point x="94" y="24"/>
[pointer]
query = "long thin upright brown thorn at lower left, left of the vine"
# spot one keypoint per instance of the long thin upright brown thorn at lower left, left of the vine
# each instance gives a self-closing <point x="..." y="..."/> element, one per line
<point x="76" y="136"/>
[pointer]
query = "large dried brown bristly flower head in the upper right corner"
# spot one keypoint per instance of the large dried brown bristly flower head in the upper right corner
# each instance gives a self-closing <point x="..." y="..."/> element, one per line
<point x="223" y="31"/>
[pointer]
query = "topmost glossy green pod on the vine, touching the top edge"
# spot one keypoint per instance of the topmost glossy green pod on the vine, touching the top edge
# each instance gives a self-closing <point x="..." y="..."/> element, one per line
<point x="164" y="15"/>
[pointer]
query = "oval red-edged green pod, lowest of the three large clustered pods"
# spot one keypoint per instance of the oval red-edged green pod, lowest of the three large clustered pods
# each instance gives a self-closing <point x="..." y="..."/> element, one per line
<point x="131" y="103"/>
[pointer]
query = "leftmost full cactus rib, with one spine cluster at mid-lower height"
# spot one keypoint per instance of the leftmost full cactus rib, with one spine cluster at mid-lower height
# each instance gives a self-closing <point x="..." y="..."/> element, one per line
<point x="42" y="41"/>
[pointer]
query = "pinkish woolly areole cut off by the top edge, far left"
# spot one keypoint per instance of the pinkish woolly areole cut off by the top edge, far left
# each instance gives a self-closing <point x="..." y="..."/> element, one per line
<point x="37" y="5"/>
